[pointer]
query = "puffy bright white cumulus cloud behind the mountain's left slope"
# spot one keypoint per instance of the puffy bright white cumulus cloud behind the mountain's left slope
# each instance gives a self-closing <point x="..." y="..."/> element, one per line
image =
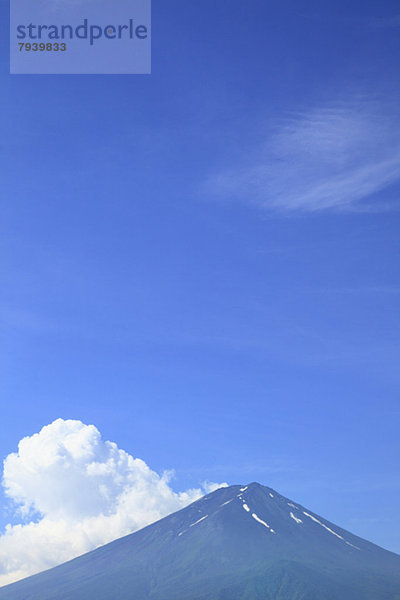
<point x="75" y="492"/>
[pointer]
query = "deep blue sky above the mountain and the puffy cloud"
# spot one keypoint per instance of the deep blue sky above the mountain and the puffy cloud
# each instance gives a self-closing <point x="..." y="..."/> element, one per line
<point x="204" y="262"/>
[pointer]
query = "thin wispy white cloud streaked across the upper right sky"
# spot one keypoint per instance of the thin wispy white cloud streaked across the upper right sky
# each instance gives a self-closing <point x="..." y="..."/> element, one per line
<point x="333" y="157"/>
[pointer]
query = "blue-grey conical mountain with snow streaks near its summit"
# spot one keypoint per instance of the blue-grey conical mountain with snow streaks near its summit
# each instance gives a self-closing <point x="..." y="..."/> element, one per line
<point x="237" y="543"/>
